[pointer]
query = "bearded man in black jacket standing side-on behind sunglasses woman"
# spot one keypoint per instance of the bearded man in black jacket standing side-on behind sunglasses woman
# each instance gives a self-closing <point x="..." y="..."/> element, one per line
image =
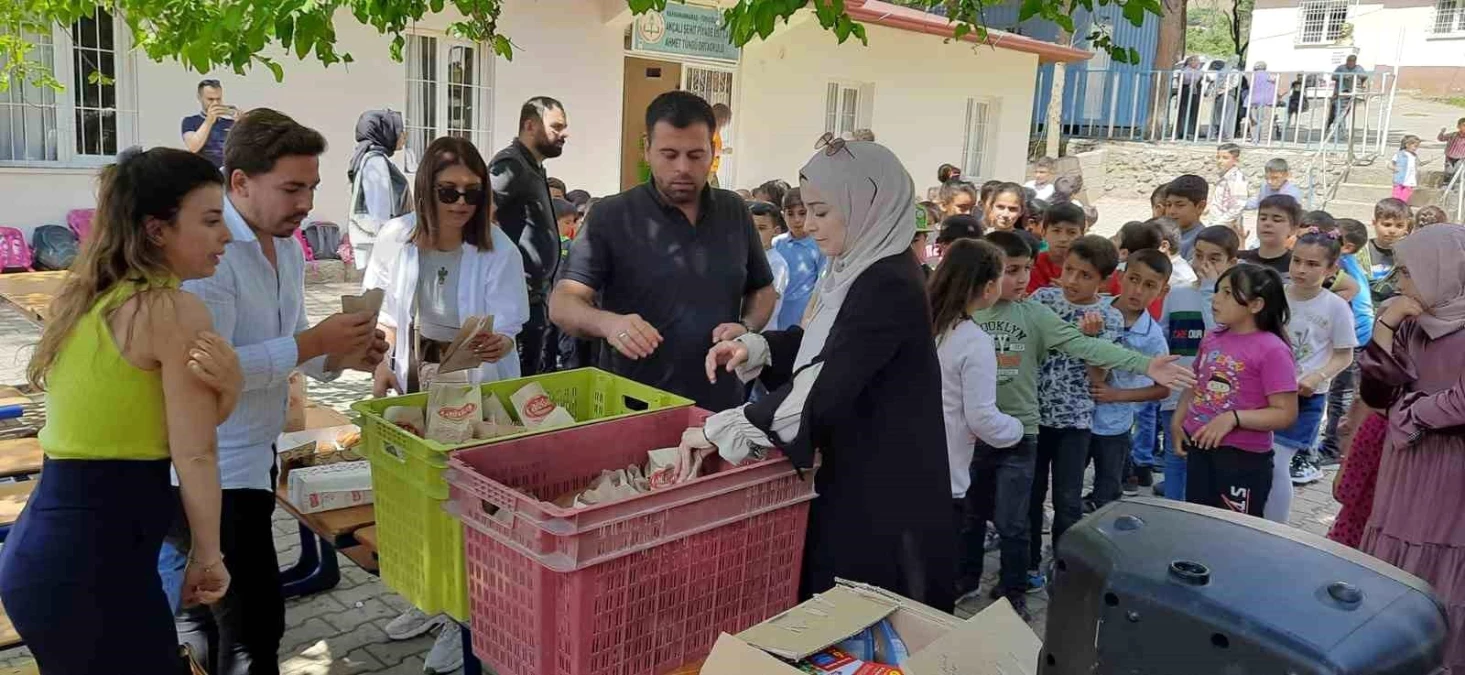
<point x="527" y="213"/>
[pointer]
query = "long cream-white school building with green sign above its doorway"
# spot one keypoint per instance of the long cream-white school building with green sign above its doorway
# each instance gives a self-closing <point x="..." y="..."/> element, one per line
<point x="930" y="100"/>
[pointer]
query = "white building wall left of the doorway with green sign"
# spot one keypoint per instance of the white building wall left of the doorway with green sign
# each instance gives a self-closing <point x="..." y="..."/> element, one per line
<point x="585" y="77"/>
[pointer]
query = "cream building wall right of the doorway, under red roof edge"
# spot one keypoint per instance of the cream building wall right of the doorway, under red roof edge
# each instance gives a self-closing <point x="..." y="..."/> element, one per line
<point x="919" y="106"/>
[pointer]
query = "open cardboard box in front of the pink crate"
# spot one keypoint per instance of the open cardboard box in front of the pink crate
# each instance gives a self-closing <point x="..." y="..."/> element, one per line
<point x="995" y="642"/>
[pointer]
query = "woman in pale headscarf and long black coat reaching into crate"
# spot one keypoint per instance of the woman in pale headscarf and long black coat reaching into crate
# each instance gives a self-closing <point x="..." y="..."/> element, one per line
<point x="859" y="384"/>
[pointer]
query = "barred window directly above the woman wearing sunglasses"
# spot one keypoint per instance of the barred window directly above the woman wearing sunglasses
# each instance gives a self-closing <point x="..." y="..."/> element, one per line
<point x="449" y="93"/>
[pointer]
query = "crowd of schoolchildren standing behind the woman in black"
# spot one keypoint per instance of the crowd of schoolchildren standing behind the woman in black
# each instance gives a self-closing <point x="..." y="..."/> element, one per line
<point x="1170" y="349"/>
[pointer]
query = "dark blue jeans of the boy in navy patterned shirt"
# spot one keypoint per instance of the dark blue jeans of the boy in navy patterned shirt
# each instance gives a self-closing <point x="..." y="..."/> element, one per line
<point x="1064" y="456"/>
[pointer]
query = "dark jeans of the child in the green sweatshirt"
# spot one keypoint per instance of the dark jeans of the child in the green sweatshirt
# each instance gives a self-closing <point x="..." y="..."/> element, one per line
<point x="1001" y="485"/>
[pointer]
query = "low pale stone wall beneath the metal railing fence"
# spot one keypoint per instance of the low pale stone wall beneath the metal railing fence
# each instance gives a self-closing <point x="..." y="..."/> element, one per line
<point x="1133" y="171"/>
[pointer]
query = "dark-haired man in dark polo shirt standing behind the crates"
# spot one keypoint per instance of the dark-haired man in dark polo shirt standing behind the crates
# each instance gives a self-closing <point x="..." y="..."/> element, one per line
<point x="676" y="264"/>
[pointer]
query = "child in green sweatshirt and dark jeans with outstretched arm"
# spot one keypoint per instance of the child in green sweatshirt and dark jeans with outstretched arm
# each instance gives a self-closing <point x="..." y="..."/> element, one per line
<point x="1023" y="335"/>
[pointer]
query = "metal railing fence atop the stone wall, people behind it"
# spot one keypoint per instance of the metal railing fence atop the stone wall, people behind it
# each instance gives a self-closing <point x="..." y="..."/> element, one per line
<point x="1299" y="111"/>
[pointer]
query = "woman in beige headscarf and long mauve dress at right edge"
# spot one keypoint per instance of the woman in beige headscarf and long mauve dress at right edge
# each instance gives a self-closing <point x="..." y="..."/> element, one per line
<point x="1413" y="368"/>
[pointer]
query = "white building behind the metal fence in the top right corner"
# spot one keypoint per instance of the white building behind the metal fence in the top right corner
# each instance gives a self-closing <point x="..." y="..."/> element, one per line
<point x="1420" y="40"/>
